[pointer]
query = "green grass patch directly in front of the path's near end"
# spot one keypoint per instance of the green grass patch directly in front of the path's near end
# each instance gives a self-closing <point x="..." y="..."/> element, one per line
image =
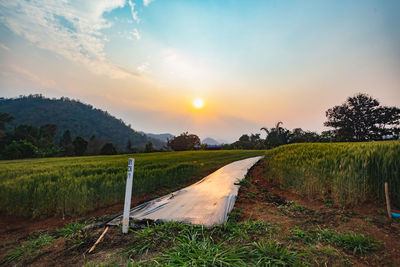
<point x="230" y="244"/>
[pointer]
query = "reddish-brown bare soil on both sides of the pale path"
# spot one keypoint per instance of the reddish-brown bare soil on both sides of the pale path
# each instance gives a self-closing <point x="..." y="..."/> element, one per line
<point x="257" y="200"/>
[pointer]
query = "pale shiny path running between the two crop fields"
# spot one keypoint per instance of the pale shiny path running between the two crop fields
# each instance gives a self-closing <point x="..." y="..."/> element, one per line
<point x="207" y="202"/>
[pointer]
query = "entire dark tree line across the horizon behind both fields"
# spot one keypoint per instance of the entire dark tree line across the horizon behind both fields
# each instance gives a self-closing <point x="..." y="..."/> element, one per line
<point x="360" y="118"/>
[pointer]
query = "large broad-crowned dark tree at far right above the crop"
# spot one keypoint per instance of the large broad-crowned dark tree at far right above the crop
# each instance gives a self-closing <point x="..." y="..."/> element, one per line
<point x="362" y="118"/>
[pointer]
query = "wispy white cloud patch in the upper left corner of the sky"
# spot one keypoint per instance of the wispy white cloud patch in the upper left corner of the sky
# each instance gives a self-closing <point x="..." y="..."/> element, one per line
<point x="72" y="29"/>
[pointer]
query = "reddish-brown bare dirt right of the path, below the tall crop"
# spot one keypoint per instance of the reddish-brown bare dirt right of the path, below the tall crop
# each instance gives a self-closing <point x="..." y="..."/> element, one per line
<point x="264" y="201"/>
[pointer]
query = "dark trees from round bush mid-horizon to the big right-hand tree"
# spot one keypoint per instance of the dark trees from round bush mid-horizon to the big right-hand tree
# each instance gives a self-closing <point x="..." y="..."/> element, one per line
<point x="360" y="118"/>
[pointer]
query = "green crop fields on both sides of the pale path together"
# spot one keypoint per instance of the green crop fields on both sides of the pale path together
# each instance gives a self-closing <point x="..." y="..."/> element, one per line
<point x="344" y="173"/>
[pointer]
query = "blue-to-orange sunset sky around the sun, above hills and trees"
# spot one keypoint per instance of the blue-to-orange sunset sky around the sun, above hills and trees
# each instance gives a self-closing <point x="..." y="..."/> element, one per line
<point x="253" y="63"/>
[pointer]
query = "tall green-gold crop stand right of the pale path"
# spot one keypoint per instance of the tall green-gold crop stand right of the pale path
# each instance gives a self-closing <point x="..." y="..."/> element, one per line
<point x="347" y="173"/>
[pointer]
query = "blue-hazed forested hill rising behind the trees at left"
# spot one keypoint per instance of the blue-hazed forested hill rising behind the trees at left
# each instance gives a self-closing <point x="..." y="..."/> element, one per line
<point x="81" y="119"/>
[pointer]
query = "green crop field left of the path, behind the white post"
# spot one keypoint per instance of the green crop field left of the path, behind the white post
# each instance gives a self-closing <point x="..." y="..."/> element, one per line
<point x="76" y="185"/>
